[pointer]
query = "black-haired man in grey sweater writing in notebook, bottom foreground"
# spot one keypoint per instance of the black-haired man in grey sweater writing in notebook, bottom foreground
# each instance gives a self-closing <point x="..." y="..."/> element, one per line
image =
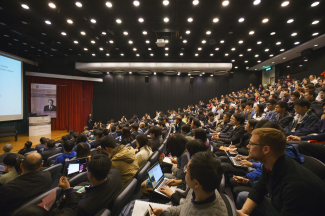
<point x="203" y="198"/>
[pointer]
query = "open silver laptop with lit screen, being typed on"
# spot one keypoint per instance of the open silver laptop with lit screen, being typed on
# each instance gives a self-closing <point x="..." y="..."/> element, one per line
<point x="157" y="179"/>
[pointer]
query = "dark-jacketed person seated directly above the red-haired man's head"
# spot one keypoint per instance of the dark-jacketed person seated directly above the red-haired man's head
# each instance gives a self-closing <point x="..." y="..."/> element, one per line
<point x="283" y="117"/>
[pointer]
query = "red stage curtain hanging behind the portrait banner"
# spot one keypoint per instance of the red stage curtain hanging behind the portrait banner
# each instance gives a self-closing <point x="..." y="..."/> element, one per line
<point x="74" y="102"/>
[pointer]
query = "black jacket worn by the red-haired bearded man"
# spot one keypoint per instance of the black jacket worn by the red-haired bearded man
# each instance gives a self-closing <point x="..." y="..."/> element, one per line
<point x="294" y="190"/>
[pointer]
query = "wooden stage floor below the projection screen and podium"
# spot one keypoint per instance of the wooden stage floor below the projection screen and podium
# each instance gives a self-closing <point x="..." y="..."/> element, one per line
<point x="22" y="138"/>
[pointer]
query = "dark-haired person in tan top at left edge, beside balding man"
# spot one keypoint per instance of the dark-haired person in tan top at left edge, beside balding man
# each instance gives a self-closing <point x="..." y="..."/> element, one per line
<point x="12" y="162"/>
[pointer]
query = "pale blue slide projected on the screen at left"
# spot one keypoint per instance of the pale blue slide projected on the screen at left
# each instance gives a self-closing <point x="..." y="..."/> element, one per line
<point x="11" y="89"/>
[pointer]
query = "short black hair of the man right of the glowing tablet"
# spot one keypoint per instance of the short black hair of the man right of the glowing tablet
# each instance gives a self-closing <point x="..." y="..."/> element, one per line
<point x="99" y="166"/>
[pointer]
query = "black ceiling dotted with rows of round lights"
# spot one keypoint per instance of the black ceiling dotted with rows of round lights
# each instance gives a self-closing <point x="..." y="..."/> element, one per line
<point x="24" y="32"/>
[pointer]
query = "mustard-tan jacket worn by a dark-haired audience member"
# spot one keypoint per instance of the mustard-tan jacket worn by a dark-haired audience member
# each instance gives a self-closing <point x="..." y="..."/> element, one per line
<point x="123" y="158"/>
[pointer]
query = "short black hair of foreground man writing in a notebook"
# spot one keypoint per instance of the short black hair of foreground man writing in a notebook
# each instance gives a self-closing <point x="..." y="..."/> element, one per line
<point x="206" y="168"/>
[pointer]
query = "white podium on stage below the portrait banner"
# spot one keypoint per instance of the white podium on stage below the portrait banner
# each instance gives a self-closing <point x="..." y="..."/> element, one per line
<point x="39" y="125"/>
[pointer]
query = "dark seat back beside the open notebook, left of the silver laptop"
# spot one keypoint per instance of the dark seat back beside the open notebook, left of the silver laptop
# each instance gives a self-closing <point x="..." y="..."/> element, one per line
<point x="124" y="197"/>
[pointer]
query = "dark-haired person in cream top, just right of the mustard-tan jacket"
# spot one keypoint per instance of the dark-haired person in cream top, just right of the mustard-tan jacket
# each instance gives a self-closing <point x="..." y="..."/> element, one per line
<point x="143" y="145"/>
